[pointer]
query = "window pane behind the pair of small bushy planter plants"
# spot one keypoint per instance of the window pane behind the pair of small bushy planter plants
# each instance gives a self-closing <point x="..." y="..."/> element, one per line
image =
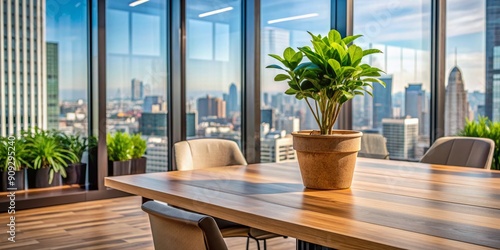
<point x="136" y="78"/>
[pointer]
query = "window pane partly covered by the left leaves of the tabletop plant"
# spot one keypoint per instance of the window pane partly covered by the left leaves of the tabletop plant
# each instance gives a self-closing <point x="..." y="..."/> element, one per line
<point x="285" y="24"/>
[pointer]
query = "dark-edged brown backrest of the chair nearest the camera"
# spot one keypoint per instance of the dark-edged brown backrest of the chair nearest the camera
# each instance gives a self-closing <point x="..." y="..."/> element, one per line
<point x="174" y="228"/>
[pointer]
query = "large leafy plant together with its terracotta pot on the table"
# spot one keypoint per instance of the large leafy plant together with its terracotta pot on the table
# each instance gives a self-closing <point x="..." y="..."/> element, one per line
<point x="333" y="75"/>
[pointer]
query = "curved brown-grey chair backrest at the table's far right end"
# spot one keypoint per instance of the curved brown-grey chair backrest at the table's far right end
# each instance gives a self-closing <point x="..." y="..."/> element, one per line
<point x="461" y="151"/>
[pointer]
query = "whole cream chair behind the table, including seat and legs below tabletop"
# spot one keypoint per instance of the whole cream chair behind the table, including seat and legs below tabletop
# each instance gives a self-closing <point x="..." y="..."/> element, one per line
<point x="205" y="153"/>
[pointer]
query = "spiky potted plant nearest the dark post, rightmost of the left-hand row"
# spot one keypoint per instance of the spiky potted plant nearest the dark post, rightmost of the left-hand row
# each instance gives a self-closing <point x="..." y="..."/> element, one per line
<point x="76" y="144"/>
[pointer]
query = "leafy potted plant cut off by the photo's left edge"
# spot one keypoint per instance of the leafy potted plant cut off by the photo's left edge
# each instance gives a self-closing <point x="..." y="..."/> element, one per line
<point x="14" y="159"/>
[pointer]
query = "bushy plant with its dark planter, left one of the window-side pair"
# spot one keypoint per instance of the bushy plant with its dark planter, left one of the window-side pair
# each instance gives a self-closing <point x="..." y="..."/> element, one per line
<point x="119" y="154"/>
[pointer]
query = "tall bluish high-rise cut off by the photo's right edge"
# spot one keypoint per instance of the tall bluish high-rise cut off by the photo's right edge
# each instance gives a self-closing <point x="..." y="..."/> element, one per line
<point x="492" y="102"/>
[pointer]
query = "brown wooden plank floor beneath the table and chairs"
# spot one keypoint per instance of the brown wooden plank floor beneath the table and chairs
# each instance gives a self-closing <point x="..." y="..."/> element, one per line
<point x="105" y="224"/>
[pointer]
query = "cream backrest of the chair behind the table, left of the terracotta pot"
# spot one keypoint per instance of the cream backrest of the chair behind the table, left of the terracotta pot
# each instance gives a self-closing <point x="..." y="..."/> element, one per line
<point x="204" y="153"/>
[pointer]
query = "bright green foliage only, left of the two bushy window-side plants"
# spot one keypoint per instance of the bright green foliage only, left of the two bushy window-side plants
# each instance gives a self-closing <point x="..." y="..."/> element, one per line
<point x="120" y="147"/>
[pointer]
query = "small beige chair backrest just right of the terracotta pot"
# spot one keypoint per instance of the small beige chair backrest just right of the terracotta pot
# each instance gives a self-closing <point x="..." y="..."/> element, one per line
<point x="373" y="146"/>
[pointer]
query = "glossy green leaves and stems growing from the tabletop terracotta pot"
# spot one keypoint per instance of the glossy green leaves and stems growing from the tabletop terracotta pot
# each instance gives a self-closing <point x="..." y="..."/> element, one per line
<point x="333" y="75"/>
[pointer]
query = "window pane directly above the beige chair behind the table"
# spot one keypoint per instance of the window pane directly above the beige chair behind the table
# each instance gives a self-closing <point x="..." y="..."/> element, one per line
<point x="213" y="69"/>
